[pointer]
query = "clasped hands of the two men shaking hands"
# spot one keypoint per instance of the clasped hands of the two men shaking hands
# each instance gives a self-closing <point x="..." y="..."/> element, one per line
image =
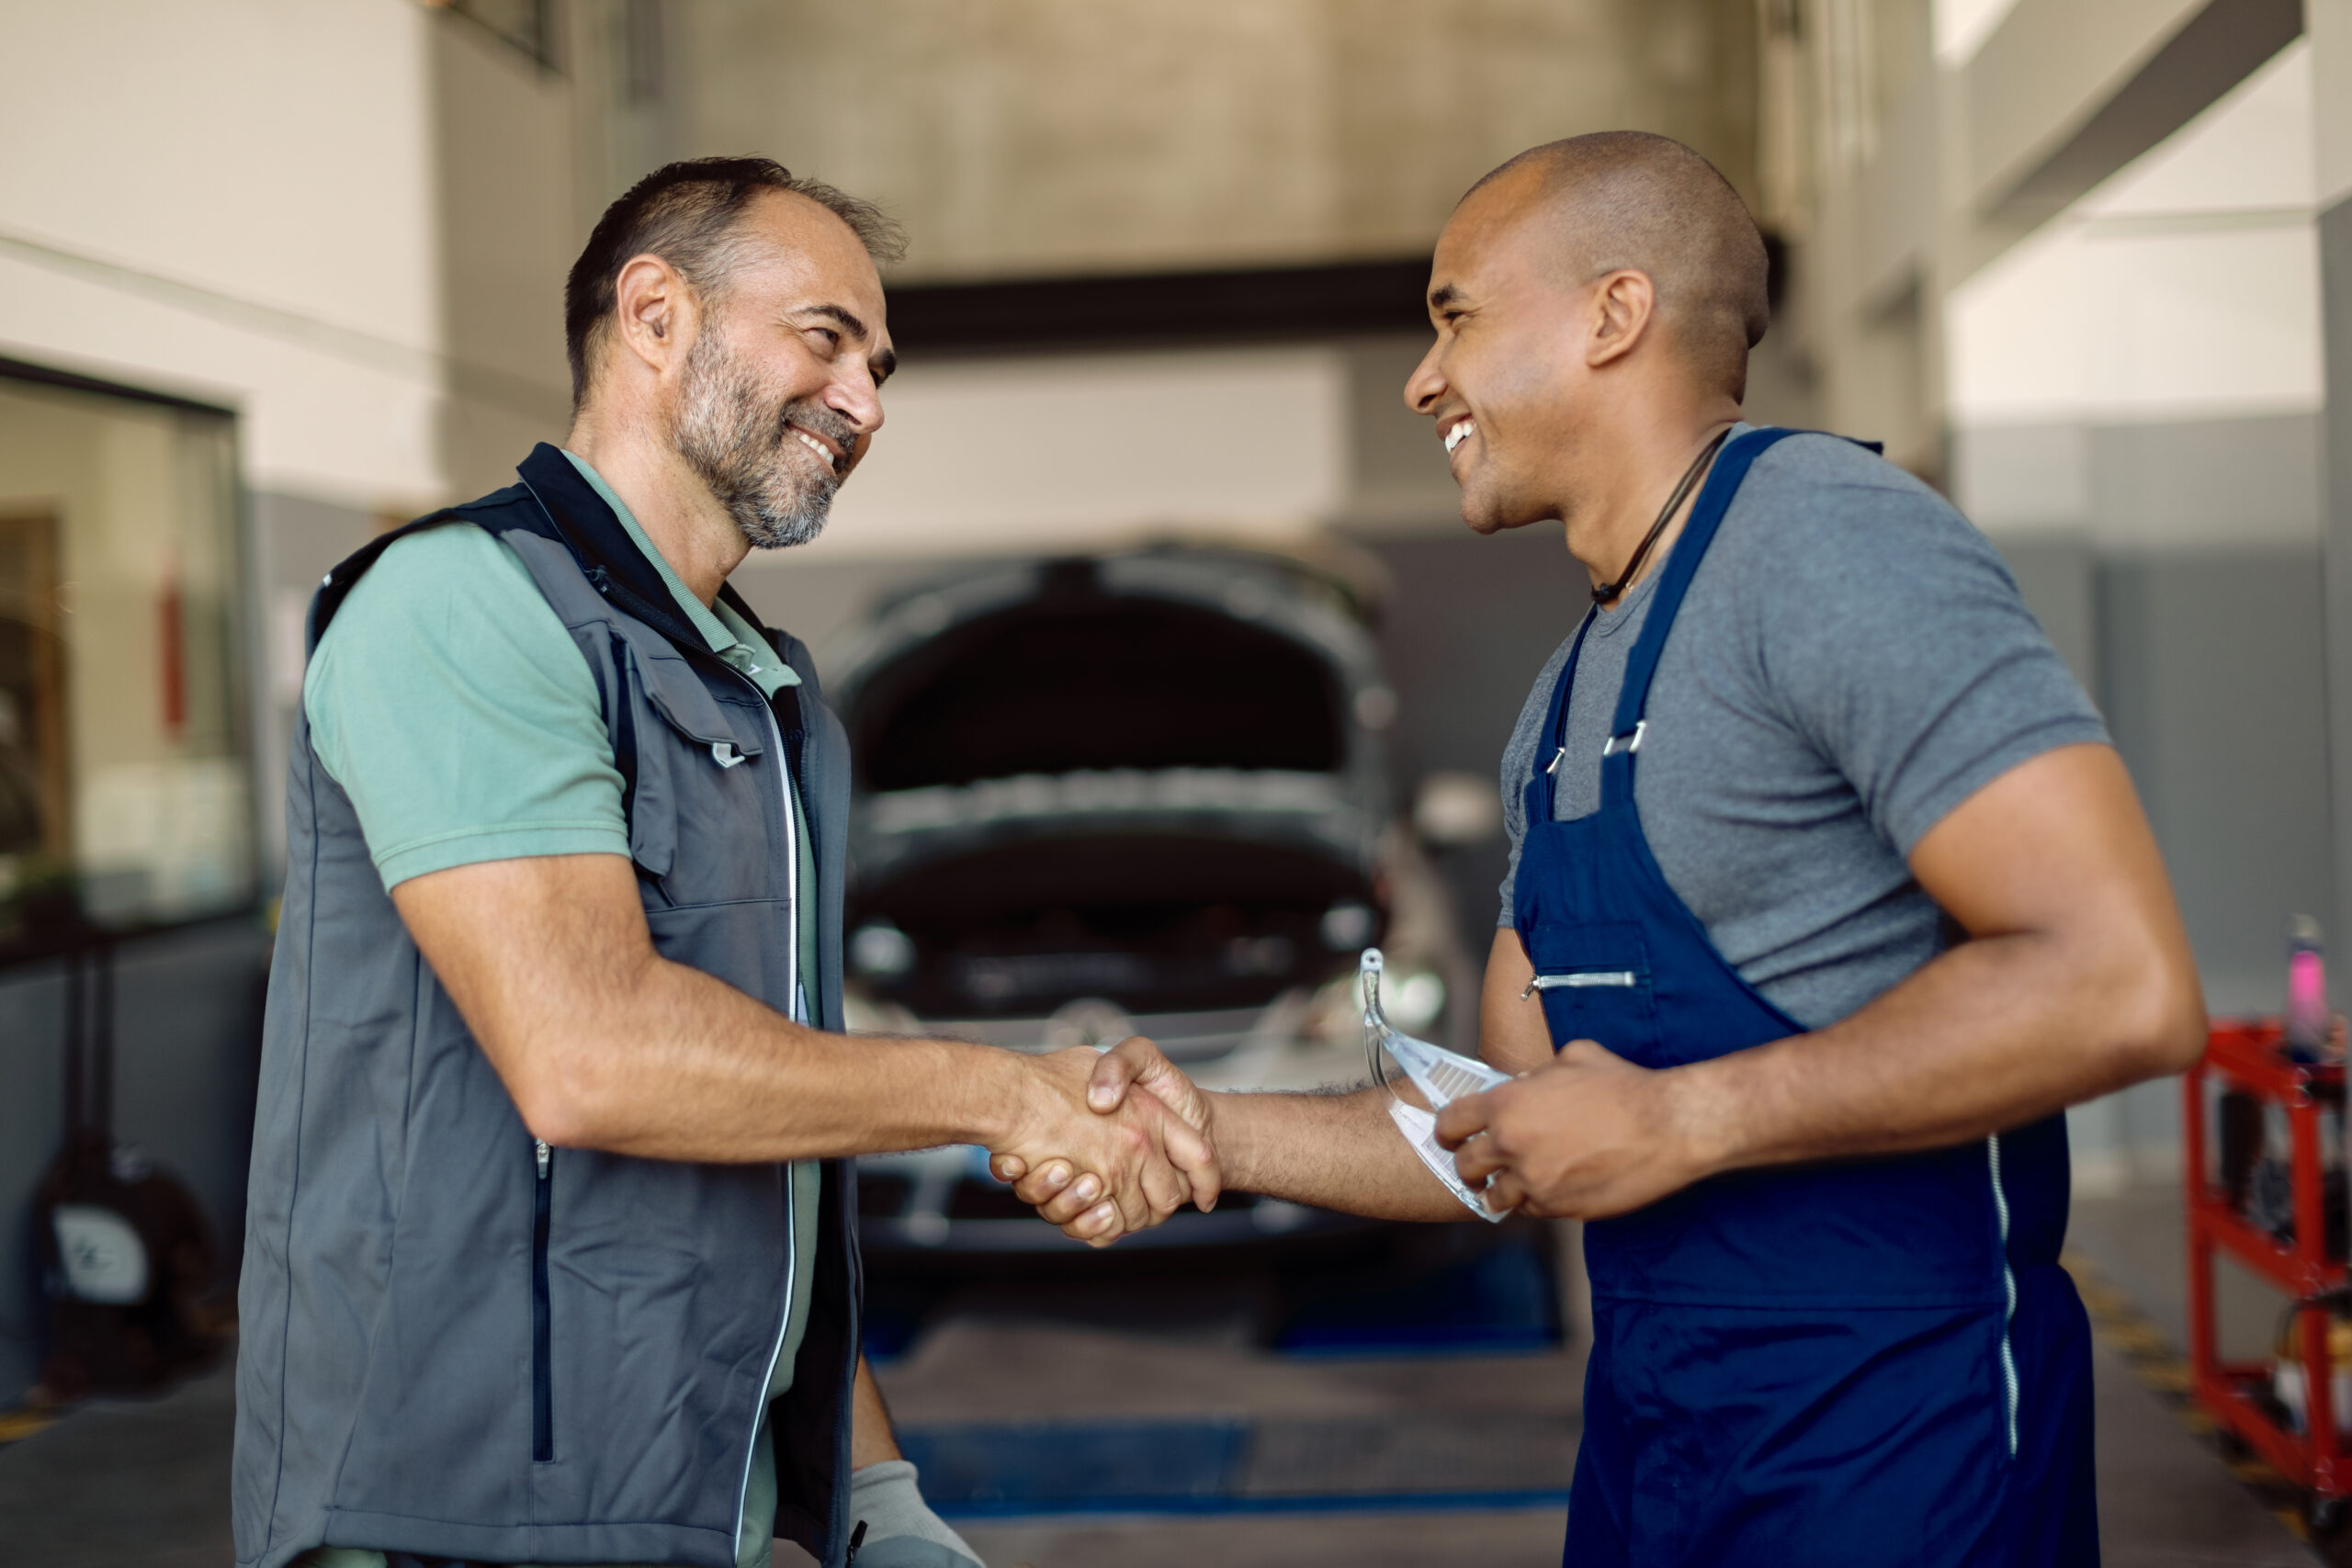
<point x="1111" y="1144"/>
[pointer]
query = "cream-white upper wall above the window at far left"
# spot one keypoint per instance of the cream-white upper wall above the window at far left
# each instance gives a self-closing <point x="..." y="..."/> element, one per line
<point x="234" y="201"/>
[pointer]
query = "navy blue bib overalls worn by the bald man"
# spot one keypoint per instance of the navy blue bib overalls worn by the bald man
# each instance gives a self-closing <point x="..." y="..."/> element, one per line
<point x="1836" y="1365"/>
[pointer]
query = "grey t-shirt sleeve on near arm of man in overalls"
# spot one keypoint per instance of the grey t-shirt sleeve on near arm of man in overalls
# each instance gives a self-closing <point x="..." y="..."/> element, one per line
<point x="1902" y="648"/>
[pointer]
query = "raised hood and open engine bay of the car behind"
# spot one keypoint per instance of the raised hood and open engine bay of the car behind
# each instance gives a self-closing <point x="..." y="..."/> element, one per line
<point x="1151" y="779"/>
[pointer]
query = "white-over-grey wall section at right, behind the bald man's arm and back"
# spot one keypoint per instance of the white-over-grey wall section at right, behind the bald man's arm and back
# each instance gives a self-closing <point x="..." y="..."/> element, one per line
<point x="2137" y="420"/>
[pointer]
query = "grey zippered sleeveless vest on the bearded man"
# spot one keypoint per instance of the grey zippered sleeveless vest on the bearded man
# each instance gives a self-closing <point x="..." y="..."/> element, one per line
<point x="443" y="1351"/>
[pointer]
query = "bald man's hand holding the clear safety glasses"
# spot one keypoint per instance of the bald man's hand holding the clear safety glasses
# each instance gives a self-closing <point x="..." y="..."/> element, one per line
<point x="1586" y="1137"/>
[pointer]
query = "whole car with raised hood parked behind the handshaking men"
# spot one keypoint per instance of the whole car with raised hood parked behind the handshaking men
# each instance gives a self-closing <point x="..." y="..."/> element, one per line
<point x="1135" y="793"/>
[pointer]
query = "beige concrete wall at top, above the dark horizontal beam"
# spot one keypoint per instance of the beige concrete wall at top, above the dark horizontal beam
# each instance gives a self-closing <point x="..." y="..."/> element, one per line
<point x="1107" y="135"/>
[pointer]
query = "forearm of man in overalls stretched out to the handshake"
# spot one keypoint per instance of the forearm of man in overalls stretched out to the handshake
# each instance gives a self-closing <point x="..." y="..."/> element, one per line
<point x="1332" y="1151"/>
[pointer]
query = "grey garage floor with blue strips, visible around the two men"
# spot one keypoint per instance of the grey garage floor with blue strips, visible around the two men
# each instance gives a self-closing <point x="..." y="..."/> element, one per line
<point x="1248" y="1456"/>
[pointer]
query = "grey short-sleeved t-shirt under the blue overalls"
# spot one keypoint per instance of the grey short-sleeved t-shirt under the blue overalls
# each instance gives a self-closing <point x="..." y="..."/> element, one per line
<point x="1850" y="664"/>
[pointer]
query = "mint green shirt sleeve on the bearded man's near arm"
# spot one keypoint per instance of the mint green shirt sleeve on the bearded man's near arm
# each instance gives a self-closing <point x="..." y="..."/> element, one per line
<point x="455" y="711"/>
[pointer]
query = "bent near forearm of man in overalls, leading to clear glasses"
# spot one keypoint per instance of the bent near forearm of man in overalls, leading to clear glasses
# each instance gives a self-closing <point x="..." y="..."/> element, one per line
<point x="1991" y="1036"/>
